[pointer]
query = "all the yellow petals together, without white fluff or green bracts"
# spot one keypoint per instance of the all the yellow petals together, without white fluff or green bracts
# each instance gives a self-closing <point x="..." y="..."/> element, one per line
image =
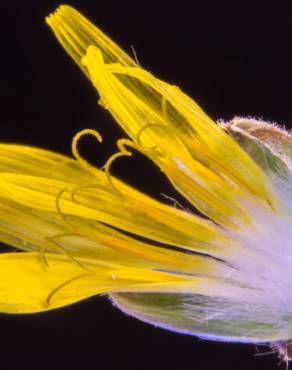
<point x="83" y="232"/>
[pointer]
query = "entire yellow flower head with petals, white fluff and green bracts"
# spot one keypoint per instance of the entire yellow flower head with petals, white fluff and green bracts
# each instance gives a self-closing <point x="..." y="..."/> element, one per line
<point x="224" y="274"/>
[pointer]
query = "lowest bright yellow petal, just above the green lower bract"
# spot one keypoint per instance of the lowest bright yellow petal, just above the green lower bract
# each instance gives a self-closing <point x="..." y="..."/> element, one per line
<point x="27" y="285"/>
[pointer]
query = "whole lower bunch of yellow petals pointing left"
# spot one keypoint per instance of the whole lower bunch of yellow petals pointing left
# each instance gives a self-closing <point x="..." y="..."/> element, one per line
<point x="74" y="252"/>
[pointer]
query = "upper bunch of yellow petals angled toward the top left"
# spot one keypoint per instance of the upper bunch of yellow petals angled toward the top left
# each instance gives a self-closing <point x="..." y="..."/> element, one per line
<point x="201" y="161"/>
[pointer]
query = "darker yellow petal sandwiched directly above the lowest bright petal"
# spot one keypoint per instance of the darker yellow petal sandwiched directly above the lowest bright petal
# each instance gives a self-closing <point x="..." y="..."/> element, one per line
<point x="34" y="230"/>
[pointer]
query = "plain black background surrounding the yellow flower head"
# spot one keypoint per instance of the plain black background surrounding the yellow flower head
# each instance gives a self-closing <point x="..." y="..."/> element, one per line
<point x="234" y="59"/>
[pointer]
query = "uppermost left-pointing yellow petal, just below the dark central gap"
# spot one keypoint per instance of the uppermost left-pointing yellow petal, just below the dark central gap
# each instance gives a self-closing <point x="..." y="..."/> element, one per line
<point x="94" y="199"/>
